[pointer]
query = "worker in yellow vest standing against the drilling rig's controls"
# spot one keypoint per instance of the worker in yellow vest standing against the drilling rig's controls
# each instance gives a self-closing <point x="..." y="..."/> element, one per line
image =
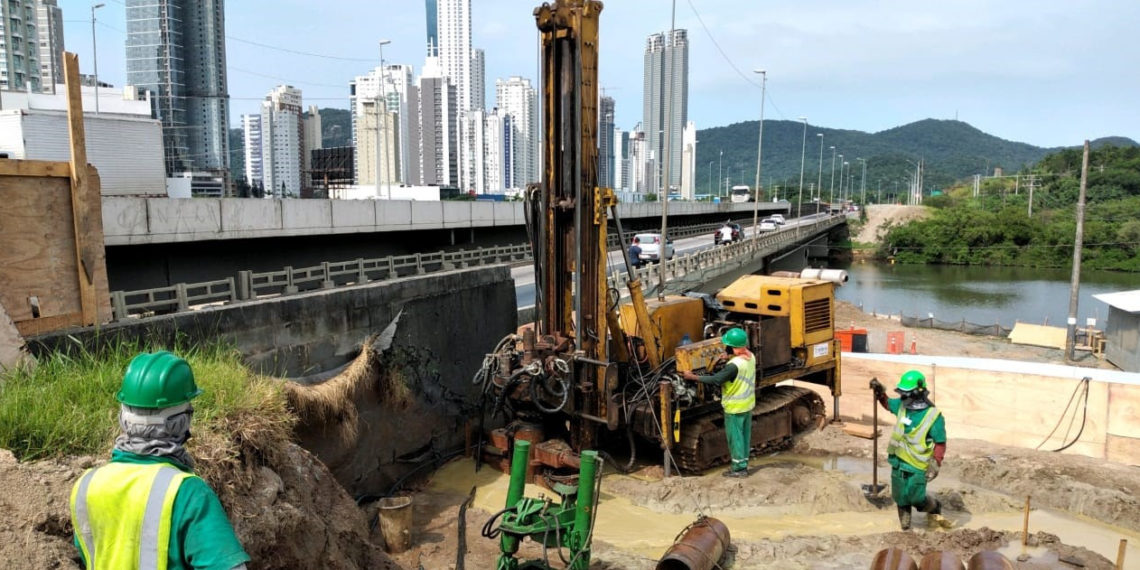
<point x="738" y="397"/>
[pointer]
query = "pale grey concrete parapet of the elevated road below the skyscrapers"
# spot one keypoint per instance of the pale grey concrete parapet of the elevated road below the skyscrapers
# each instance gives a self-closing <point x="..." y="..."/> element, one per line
<point x="136" y="221"/>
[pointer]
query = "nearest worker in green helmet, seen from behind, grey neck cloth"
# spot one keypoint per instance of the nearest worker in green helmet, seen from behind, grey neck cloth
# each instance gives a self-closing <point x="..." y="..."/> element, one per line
<point x="146" y="509"/>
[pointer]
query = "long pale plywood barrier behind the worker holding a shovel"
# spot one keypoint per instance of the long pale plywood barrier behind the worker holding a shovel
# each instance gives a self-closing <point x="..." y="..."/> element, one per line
<point x="1012" y="404"/>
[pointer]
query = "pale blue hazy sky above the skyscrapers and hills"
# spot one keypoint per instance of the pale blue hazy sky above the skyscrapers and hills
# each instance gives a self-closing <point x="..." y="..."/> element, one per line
<point x="1044" y="72"/>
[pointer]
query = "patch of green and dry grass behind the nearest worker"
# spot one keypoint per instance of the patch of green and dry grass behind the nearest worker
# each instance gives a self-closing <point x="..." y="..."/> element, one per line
<point x="67" y="404"/>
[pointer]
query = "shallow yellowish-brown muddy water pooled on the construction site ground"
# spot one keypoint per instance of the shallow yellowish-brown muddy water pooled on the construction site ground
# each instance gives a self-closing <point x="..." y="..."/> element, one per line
<point x="638" y="530"/>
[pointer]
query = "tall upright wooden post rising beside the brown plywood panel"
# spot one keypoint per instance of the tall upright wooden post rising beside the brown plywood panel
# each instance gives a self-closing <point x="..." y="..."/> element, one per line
<point x="82" y="219"/>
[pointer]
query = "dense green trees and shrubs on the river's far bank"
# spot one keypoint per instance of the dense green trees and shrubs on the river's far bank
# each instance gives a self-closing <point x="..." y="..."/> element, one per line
<point x="996" y="227"/>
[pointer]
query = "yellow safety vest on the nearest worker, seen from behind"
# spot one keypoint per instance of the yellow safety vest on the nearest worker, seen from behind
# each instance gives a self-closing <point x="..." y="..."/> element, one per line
<point x="123" y="515"/>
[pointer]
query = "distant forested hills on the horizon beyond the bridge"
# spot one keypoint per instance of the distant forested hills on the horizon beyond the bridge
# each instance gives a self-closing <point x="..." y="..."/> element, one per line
<point x="952" y="151"/>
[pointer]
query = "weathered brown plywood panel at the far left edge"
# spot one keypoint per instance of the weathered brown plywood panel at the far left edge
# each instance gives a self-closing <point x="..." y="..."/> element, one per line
<point x="38" y="258"/>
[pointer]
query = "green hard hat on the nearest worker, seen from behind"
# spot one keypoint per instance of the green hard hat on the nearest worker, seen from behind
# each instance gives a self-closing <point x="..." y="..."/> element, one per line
<point x="158" y="380"/>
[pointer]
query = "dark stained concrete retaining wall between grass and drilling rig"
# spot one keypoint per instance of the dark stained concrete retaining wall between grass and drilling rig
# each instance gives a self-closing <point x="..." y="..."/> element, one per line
<point x="450" y="322"/>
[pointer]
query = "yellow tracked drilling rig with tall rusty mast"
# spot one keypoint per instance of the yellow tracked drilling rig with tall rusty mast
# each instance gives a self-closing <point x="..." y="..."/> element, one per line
<point x="595" y="370"/>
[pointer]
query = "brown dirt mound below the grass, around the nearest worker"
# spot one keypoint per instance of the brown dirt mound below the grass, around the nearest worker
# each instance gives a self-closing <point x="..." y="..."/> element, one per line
<point x="290" y="516"/>
